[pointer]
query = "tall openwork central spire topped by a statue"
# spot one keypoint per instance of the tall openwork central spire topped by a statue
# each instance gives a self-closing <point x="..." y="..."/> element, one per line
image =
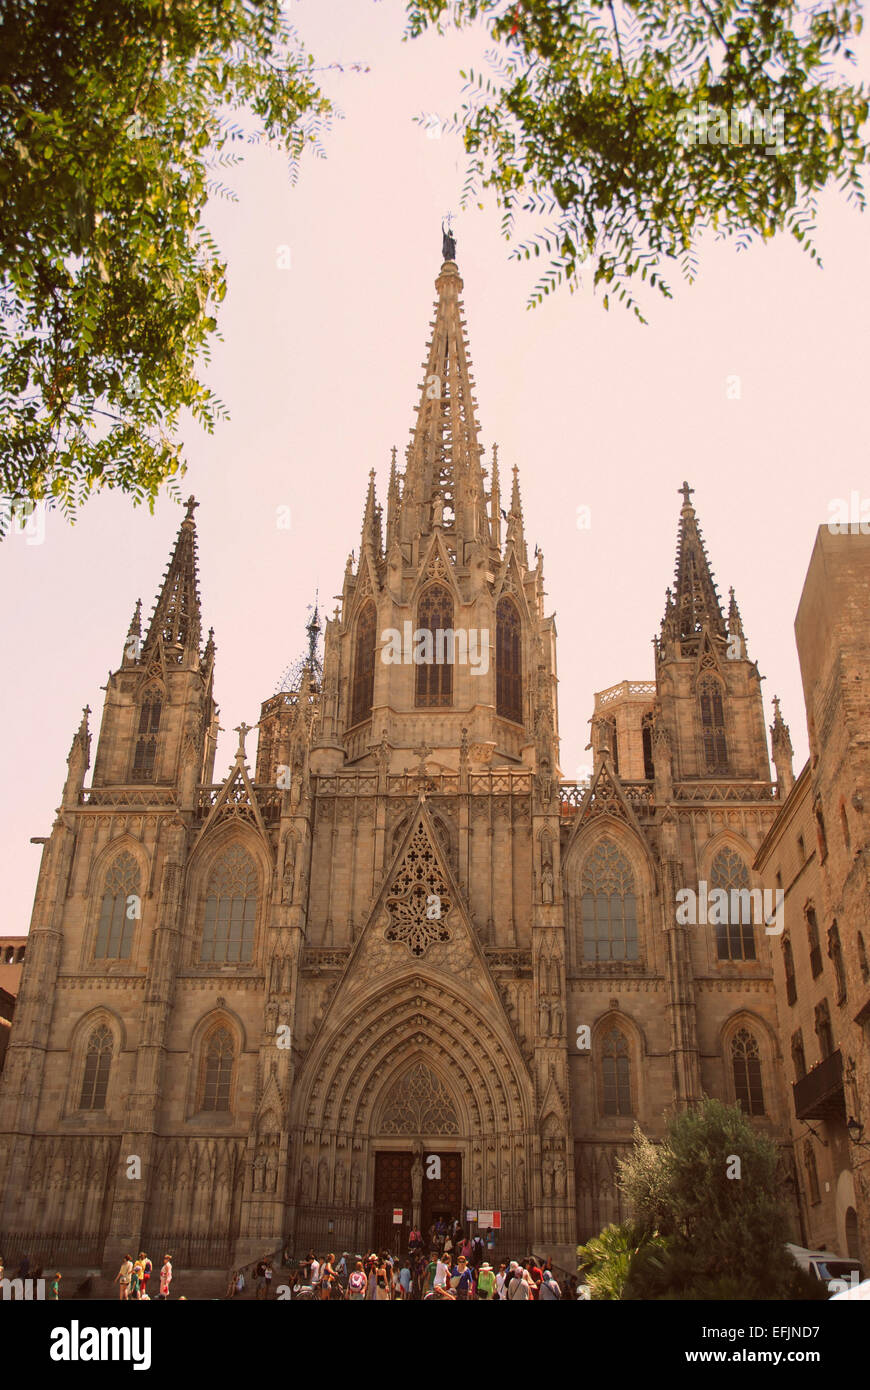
<point x="444" y="482"/>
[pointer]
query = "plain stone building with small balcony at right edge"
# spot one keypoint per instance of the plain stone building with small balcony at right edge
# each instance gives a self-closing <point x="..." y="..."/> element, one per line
<point x="819" y="854"/>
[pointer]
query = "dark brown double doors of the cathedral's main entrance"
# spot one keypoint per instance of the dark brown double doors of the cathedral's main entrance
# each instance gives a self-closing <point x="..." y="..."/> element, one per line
<point x="443" y="1196"/>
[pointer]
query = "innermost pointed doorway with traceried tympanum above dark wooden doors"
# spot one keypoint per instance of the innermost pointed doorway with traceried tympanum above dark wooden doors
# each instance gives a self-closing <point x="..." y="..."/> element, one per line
<point x="419" y="1128"/>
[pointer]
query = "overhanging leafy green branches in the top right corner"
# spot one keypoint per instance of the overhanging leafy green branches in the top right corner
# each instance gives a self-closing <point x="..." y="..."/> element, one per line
<point x="583" y="119"/>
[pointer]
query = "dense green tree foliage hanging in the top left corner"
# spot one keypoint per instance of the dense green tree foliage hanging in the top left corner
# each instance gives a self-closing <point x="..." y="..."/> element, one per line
<point x="116" y="117"/>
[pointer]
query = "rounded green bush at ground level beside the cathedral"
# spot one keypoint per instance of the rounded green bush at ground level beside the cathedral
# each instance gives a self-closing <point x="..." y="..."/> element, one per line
<point x="725" y="1238"/>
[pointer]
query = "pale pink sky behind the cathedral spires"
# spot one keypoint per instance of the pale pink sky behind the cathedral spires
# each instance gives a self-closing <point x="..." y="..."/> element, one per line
<point x="320" y="366"/>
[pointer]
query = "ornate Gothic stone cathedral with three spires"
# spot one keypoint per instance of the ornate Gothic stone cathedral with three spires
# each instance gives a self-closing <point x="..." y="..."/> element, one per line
<point x="258" y="1011"/>
